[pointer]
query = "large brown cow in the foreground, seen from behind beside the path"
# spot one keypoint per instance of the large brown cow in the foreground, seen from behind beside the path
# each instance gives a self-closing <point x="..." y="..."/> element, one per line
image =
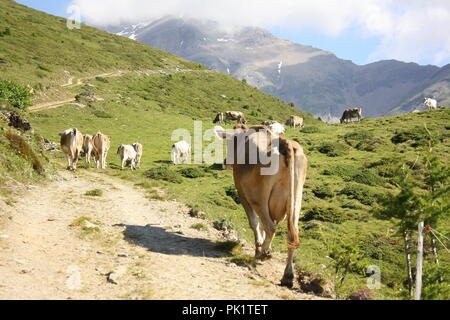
<point x="268" y="199"/>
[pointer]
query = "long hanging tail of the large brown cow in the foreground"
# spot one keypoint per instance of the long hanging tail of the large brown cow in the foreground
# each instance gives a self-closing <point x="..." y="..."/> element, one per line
<point x="296" y="180"/>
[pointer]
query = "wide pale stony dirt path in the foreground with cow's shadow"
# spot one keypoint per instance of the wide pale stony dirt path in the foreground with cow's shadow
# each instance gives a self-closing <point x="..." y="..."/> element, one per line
<point x="48" y="252"/>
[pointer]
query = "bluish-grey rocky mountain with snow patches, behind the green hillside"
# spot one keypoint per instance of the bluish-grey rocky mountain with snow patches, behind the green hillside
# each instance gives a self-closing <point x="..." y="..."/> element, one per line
<point x="315" y="80"/>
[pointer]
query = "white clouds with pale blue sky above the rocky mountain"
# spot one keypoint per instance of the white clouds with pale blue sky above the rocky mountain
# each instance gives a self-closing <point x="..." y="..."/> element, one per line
<point x="410" y="30"/>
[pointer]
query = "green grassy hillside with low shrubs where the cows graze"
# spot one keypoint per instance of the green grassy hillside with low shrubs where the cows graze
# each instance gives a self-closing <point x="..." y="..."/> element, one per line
<point x="350" y="165"/>
